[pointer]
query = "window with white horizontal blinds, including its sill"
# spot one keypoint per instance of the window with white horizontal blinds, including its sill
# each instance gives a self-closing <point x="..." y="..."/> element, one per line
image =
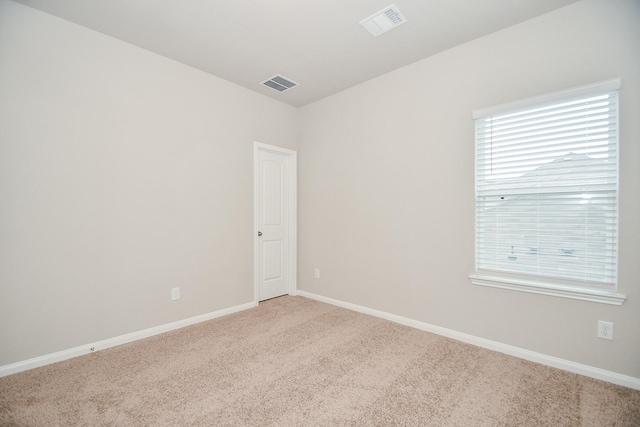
<point x="547" y="194"/>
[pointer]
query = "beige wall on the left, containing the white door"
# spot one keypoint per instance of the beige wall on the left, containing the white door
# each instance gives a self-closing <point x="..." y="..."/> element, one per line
<point x="122" y="175"/>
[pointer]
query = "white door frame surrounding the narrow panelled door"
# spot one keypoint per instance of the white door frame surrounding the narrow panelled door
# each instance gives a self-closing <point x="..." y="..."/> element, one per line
<point x="292" y="157"/>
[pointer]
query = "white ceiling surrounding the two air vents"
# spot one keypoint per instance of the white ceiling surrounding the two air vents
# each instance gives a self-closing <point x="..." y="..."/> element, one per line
<point x="317" y="43"/>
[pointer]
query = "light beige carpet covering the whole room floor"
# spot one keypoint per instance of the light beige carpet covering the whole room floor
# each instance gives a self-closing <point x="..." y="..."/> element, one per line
<point x="298" y="362"/>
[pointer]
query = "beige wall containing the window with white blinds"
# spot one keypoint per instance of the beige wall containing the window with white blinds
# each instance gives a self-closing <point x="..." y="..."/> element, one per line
<point x="387" y="189"/>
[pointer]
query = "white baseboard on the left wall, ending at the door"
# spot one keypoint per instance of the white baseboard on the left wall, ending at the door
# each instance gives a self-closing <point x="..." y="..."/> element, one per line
<point x="112" y="342"/>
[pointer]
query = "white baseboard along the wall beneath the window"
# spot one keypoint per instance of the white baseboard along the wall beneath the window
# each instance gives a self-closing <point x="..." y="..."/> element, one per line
<point x="555" y="362"/>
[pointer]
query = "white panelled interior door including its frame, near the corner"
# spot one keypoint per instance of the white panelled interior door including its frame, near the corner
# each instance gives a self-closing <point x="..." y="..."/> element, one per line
<point x="275" y="221"/>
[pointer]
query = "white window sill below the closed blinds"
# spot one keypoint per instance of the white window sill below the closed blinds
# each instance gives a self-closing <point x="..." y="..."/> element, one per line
<point x="593" y="295"/>
